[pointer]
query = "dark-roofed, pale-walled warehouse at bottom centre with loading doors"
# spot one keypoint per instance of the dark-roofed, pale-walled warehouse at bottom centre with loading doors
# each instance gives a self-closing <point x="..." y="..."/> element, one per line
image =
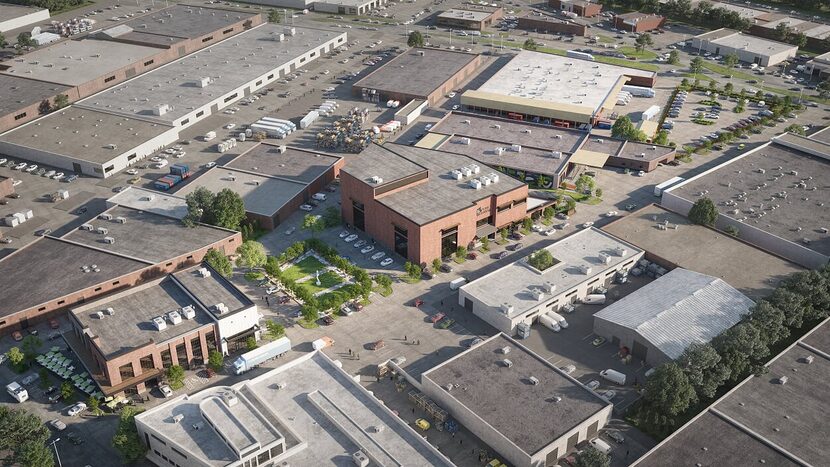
<point x="527" y="410"/>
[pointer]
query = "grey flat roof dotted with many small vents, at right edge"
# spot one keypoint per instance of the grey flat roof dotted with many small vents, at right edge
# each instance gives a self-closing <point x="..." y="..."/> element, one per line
<point x="800" y="216"/>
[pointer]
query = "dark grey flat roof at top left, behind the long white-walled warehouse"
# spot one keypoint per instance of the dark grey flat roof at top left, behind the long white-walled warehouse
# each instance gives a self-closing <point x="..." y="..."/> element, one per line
<point x="186" y="21"/>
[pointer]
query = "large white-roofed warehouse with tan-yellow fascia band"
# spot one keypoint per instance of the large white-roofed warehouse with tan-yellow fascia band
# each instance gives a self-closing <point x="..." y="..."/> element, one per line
<point x="562" y="91"/>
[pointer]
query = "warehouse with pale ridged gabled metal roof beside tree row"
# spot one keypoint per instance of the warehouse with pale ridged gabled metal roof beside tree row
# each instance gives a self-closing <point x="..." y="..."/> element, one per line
<point x="657" y="322"/>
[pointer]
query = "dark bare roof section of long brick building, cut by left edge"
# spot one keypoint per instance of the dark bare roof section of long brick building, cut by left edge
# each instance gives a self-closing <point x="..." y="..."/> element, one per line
<point x="49" y="268"/>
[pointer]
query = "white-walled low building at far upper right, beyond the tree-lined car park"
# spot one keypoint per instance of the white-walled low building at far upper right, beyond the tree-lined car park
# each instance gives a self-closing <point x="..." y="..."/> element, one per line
<point x="749" y="49"/>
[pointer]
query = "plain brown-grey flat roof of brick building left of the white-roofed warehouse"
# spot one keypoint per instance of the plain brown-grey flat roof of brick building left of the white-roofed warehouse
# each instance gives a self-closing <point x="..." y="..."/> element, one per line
<point x="416" y="75"/>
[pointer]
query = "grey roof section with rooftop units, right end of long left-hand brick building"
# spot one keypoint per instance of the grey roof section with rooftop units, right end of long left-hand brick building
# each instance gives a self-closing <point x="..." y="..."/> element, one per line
<point x="147" y="236"/>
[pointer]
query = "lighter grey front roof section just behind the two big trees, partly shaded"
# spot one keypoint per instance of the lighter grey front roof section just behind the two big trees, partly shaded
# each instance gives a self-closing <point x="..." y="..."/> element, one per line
<point x="261" y="194"/>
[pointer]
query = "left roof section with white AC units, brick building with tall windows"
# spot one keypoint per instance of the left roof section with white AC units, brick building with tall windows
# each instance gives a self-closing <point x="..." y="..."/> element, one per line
<point x="131" y="325"/>
